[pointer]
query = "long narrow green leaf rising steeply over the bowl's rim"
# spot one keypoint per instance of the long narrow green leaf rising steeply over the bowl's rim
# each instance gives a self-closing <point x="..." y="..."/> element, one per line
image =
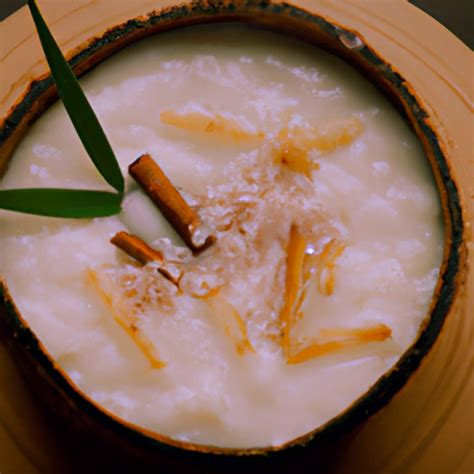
<point x="77" y="106"/>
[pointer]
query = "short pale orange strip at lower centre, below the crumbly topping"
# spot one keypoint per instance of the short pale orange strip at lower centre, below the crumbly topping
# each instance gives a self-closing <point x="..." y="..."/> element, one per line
<point x="231" y="322"/>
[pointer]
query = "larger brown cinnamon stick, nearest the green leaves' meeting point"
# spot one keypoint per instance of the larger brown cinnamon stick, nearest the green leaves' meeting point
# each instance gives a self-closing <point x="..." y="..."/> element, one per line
<point x="169" y="201"/>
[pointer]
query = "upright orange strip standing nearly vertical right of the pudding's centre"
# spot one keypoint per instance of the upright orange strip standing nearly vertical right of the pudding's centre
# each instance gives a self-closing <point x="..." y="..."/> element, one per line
<point x="295" y="258"/>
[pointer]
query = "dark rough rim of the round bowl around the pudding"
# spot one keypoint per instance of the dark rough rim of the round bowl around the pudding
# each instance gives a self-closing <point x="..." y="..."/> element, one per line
<point x="328" y="34"/>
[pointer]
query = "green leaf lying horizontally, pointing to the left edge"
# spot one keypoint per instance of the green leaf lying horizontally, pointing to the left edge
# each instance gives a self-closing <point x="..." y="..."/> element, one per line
<point x="56" y="202"/>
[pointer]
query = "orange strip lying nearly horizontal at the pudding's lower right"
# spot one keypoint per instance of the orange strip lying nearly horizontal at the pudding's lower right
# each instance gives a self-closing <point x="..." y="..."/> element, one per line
<point x="343" y="338"/>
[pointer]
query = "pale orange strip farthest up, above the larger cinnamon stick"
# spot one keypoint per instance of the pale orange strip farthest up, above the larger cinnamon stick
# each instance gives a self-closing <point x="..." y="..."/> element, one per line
<point x="196" y="118"/>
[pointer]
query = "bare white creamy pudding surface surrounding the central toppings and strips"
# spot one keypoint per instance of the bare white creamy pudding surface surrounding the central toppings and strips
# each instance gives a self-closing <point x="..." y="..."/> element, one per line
<point x="379" y="189"/>
